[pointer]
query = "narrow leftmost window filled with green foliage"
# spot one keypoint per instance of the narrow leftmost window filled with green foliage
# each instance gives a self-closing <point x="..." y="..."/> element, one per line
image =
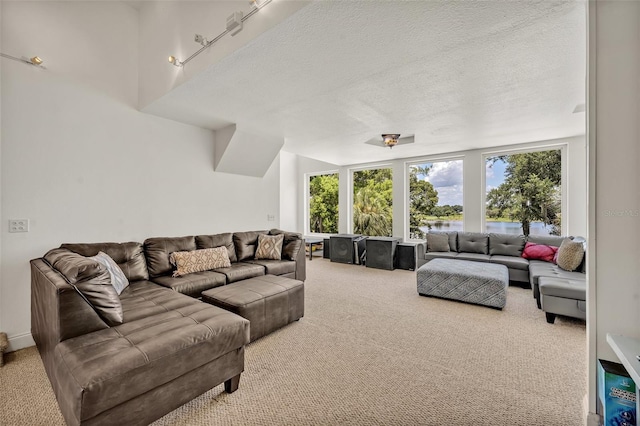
<point x="323" y="203"/>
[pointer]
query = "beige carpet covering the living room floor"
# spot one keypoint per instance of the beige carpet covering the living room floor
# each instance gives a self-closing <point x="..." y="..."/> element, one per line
<point x="370" y="351"/>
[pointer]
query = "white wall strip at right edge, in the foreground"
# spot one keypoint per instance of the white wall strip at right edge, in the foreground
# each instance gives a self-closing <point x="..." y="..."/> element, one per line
<point x="614" y="154"/>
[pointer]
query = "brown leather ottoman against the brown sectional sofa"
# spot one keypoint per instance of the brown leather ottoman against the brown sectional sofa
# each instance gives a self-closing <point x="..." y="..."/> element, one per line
<point x="268" y="302"/>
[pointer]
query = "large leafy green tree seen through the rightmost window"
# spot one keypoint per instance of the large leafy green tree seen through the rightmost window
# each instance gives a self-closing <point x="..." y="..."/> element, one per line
<point x="531" y="190"/>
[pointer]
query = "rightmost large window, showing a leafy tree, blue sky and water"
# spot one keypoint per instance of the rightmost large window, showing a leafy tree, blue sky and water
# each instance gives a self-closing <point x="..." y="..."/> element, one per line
<point x="524" y="193"/>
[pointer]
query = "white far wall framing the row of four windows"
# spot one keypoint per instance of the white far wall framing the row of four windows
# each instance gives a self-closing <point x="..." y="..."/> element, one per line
<point x="575" y="185"/>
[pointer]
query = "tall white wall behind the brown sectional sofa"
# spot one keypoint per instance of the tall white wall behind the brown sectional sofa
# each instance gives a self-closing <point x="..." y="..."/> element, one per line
<point x="83" y="164"/>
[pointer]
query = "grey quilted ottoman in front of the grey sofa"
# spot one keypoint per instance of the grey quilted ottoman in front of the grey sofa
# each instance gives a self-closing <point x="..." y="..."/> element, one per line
<point x="481" y="283"/>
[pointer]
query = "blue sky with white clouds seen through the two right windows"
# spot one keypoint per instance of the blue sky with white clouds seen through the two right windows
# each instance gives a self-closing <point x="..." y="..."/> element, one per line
<point x="446" y="178"/>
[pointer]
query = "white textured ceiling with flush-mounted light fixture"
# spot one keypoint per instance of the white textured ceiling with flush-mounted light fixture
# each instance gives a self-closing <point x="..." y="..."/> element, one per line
<point x="457" y="75"/>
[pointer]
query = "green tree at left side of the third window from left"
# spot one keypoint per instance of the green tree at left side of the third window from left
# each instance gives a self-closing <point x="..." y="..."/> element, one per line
<point x="422" y="199"/>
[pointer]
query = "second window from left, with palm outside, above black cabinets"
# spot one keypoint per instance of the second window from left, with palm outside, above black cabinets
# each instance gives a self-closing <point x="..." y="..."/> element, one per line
<point x="373" y="202"/>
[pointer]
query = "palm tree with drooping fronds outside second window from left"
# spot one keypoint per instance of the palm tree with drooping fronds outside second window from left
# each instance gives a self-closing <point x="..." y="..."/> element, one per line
<point x="371" y="214"/>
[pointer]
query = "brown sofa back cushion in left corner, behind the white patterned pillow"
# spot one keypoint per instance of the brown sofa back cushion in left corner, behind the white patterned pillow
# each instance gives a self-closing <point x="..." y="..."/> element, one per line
<point x="128" y="256"/>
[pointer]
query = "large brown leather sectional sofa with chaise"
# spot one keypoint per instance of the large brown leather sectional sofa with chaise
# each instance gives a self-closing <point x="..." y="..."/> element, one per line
<point x="169" y="348"/>
